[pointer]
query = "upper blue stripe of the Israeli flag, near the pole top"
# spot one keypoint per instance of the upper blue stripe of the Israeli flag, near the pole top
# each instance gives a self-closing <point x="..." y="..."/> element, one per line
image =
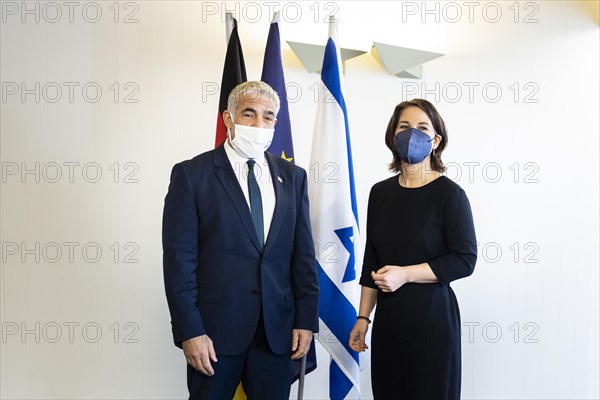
<point x="331" y="78"/>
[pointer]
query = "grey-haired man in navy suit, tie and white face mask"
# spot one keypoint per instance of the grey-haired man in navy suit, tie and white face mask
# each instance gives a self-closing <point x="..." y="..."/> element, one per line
<point x="238" y="257"/>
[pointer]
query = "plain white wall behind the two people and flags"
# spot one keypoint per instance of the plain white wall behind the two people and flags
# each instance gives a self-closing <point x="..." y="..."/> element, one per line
<point x="530" y="313"/>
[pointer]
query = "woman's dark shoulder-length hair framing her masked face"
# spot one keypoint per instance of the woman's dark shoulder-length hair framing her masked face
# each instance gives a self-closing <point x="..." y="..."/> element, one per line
<point x="438" y="125"/>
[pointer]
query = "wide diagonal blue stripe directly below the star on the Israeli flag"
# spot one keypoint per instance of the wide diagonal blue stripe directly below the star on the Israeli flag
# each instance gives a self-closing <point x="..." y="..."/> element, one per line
<point x="336" y="311"/>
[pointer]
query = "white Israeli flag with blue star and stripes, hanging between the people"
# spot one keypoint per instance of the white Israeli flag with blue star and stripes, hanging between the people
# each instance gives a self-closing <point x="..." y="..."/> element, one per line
<point x="334" y="219"/>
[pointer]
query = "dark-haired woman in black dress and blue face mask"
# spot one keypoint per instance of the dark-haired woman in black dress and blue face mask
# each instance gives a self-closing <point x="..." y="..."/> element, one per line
<point x="420" y="237"/>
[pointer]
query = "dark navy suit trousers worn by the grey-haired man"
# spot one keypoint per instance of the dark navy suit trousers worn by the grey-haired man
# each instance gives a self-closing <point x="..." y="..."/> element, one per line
<point x="264" y="375"/>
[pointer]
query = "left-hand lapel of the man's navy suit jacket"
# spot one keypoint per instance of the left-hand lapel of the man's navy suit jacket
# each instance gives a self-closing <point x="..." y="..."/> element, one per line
<point x="230" y="183"/>
